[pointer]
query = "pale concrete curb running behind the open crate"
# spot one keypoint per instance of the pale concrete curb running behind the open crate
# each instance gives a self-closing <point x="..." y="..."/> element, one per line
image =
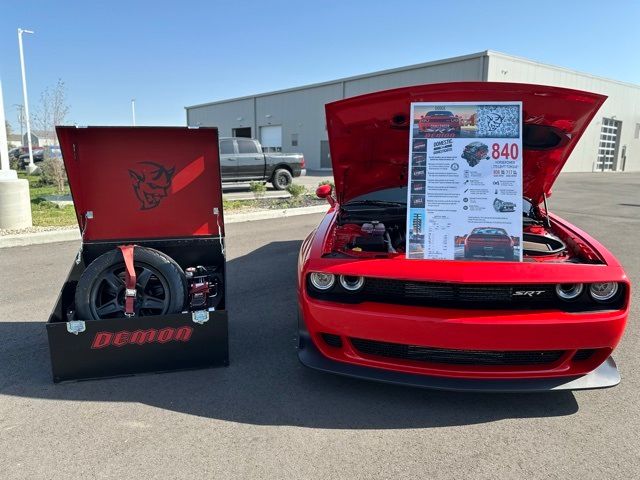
<point x="71" y="234"/>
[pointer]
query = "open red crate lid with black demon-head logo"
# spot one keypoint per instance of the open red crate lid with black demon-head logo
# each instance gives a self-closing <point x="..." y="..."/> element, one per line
<point x="144" y="182"/>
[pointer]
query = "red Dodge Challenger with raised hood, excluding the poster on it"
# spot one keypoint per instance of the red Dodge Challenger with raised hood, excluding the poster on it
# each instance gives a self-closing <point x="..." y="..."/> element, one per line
<point x="365" y="310"/>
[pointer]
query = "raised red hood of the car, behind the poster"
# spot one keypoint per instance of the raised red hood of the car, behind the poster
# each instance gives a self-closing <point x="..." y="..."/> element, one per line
<point x="369" y="134"/>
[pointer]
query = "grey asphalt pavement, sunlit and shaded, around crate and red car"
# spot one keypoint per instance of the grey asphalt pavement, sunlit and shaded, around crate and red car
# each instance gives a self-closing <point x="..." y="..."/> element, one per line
<point x="266" y="416"/>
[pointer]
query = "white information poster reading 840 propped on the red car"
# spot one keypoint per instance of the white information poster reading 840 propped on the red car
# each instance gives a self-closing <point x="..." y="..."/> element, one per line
<point x="465" y="181"/>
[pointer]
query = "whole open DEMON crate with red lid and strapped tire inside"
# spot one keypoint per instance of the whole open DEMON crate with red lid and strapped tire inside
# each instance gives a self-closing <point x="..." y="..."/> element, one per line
<point x="147" y="290"/>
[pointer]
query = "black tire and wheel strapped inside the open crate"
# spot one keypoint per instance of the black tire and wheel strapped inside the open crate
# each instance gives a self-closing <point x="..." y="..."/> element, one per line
<point x="161" y="286"/>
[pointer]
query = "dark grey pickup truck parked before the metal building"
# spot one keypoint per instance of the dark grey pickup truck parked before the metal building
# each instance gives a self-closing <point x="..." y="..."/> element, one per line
<point x="242" y="160"/>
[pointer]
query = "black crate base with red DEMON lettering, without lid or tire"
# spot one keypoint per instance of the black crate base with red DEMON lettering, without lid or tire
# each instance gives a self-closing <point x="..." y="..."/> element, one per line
<point x="86" y="349"/>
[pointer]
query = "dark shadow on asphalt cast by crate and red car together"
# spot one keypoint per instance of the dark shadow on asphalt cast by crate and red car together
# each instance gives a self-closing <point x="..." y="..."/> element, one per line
<point x="265" y="384"/>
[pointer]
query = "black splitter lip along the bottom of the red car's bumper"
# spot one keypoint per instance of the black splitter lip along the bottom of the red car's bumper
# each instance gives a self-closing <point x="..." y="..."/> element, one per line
<point x="606" y="375"/>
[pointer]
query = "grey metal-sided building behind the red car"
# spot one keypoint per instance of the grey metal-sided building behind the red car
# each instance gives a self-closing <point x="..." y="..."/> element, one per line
<point x="612" y="141"/>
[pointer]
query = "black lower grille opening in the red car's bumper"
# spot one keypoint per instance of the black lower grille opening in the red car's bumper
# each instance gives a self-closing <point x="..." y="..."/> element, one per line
<point x="455" y="357"/>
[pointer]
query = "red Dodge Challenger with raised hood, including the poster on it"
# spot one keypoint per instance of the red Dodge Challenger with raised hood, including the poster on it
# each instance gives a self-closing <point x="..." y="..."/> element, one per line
<point x="439" y="241"/>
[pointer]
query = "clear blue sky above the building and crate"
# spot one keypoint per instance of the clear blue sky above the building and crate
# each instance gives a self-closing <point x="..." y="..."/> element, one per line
<point x="170" y="54"/>
